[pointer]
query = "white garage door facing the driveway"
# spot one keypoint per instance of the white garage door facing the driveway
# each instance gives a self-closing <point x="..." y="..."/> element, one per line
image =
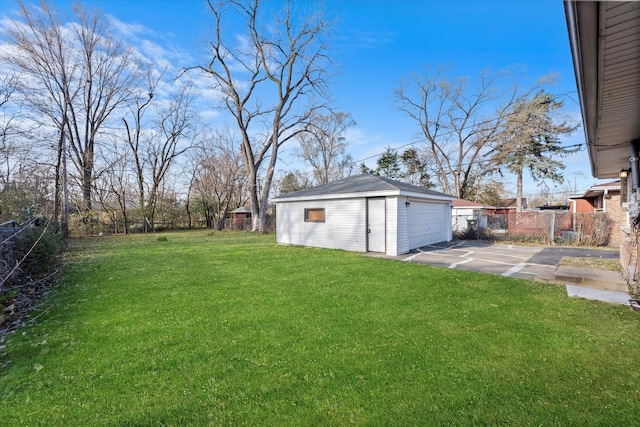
<point x="428" y="223"/>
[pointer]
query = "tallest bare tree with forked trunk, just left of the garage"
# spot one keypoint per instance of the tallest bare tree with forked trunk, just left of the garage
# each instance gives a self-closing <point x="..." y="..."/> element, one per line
<point x="269" y="76"/>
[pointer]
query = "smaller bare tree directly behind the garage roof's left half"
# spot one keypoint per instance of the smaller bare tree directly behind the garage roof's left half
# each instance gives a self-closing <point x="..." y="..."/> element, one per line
<point x="323" y="146"/>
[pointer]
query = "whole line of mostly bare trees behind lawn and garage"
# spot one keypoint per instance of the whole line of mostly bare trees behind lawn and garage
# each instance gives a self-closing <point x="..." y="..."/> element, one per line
<point x="90" y="123"/>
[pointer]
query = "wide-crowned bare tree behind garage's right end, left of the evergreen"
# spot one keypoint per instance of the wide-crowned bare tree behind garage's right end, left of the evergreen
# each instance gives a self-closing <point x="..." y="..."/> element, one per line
<point x="457" y="122"/>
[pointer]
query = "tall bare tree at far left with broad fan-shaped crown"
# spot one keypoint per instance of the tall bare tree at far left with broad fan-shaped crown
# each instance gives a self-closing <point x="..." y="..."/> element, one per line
<point x="78" y="75"/>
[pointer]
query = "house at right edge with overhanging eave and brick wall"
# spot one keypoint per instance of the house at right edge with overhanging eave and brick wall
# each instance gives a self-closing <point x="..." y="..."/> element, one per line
<point x="605" y="46"/>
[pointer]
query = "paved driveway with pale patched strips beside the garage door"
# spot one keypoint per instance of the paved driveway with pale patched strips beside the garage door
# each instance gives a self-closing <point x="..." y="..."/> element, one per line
<point x="525" y="262"/>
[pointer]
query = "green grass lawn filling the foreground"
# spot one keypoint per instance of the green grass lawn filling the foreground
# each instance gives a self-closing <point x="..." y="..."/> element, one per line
<point x="211" y="328"/>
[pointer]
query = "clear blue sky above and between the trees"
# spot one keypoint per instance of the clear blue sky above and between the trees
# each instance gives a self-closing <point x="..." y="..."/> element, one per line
<point x="376" y="43"/>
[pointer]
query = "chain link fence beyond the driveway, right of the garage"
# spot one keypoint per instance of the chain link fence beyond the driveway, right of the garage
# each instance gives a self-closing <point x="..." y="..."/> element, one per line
<point x="593" y="229"/>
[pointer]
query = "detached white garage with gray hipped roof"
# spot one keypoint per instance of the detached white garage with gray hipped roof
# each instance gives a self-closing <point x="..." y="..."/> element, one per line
<point x="364" y="213"/>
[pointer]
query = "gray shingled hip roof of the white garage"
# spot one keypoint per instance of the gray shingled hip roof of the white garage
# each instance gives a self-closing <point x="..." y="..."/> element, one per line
<point x="364" y="183"/>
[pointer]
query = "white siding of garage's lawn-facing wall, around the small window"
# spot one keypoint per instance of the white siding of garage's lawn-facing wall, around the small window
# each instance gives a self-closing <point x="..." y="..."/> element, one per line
<point x="344" y="226"/>
